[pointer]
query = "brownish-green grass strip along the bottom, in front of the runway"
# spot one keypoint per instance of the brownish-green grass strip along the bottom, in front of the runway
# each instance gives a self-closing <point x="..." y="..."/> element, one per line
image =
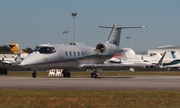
<point x="89" y="99"/>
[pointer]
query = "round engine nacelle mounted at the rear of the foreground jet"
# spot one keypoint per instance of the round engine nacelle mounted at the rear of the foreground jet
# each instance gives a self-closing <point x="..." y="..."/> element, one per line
<point x="106" y="48"/>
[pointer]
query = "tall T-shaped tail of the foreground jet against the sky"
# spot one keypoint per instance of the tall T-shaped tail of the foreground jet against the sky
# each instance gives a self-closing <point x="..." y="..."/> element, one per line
<point x="115" y="34"/>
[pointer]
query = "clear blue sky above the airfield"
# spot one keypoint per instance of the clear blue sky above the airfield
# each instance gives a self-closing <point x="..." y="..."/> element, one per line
<point x="33" y="22"/>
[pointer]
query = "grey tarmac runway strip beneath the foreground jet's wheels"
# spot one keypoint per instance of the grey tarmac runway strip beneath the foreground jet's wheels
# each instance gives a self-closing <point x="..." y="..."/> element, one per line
<point x="103" y="83"/>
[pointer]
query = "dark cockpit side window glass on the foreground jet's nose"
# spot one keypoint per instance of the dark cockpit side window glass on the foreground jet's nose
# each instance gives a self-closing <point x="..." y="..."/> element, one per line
<point x="46" y="50"/>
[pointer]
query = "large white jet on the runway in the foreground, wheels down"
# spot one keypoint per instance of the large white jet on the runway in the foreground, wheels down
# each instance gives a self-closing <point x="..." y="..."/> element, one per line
<point x="75" y="55"/>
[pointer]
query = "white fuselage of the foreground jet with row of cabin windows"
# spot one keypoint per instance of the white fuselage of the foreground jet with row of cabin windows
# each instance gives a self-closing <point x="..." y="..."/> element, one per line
<point x="48" y="56"/>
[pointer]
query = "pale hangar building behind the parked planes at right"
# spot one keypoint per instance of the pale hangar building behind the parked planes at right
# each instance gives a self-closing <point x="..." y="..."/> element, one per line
<point x="162" y="49"/>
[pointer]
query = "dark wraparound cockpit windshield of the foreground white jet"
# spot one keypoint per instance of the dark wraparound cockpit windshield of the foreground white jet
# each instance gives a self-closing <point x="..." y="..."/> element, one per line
<point x="45" y="49"/>
